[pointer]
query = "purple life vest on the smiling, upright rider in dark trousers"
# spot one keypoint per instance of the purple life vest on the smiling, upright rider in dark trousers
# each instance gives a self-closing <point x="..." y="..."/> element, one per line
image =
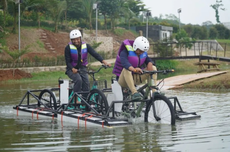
<point x="74" y="54"/>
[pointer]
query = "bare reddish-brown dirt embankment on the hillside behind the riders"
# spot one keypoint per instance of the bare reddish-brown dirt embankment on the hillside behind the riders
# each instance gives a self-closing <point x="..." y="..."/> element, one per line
<point x="43" y="43"/>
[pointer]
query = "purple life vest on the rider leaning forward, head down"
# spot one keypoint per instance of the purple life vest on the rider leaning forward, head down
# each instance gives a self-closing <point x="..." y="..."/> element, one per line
<point x="133" y="59"/>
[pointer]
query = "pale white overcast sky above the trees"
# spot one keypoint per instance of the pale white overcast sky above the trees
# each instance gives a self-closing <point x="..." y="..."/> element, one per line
<point x="192" y="11"/>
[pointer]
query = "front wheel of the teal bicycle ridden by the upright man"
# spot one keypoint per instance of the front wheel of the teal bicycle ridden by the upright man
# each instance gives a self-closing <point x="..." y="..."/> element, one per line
<point x="98" y="101"/>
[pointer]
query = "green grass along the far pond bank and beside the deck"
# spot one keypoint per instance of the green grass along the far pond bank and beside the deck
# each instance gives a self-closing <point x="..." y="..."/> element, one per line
<point x="186" y="66"/>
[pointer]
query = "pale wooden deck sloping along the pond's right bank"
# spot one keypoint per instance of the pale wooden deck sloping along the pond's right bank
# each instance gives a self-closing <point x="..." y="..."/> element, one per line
<point x="180" y="80"/>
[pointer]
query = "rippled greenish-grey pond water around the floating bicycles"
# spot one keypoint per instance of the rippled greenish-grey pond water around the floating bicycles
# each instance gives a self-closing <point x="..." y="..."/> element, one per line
<point x="209" y="133"/>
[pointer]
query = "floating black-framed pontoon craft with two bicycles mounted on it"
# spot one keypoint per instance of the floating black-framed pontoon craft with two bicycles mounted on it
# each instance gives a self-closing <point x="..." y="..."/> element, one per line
<point x="106" y="107"/>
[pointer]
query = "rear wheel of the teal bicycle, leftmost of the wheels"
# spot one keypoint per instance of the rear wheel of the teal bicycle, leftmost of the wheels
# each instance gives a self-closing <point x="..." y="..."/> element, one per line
<point x="47" y="98"/>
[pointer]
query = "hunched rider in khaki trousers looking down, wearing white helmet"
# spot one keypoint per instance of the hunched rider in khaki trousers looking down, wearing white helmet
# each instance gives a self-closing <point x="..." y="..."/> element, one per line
<point x="131" y="59"/>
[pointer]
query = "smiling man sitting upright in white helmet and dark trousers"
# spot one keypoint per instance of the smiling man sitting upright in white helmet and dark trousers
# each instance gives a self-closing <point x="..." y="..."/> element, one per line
<point x="76" y="53"/>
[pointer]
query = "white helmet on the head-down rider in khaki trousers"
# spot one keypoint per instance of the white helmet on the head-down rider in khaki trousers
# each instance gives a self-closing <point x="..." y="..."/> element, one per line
<point x="141" y="43"/>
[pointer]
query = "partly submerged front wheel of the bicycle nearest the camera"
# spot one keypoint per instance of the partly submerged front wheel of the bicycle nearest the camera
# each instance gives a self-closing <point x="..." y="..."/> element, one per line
<point x="160" y="110"/>
